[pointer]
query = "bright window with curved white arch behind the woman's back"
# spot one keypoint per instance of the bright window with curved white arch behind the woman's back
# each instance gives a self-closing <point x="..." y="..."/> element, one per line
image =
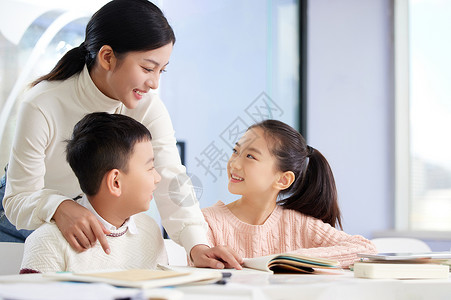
<point x="27" y="54"/>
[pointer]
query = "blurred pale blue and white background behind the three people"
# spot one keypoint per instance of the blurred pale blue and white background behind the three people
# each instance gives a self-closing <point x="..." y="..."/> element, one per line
<point x="365" y="81"/>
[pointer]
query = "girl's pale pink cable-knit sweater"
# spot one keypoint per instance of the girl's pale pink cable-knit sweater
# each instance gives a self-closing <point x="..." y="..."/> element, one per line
<point x="285" y="230"/>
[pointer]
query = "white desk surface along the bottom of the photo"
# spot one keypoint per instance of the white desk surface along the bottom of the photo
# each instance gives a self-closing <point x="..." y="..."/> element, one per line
<point x="251" y="285"/>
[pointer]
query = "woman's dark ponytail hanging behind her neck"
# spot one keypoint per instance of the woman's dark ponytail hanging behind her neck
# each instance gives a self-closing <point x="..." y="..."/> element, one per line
<point x="70" y="64"/>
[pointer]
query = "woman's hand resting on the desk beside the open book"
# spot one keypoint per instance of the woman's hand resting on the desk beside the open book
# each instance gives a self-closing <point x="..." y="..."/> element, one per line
<point x="218" y="257"/>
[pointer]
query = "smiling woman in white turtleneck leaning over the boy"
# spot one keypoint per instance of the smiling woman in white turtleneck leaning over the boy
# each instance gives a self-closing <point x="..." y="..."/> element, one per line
<point x="127" y="46"/>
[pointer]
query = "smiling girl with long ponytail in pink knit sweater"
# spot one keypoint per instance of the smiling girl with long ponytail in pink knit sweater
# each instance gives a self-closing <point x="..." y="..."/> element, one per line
<point x="288" y="200"/>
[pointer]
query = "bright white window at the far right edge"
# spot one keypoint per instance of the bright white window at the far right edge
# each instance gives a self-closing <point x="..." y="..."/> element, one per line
<point x="423" y="95"/>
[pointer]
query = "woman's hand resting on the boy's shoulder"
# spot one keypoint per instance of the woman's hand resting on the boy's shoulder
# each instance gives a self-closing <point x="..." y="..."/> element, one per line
<point x="80" y="227"/>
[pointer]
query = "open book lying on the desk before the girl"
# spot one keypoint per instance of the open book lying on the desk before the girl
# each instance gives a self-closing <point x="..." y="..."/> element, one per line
<point x="290" y="263"/>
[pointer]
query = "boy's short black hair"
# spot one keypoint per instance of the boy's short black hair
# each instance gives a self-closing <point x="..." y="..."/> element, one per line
<point x="100" y="143"/>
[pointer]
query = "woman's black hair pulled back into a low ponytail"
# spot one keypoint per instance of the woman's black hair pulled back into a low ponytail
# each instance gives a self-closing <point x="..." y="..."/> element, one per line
<point x="124" y="25"/>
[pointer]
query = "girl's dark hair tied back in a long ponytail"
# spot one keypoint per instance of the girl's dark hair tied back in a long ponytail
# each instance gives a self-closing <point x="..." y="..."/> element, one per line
<point x="313" y="191"/>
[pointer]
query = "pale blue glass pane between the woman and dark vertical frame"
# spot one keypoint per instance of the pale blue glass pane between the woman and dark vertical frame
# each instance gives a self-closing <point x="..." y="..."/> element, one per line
<point x="234" y="63"/>
